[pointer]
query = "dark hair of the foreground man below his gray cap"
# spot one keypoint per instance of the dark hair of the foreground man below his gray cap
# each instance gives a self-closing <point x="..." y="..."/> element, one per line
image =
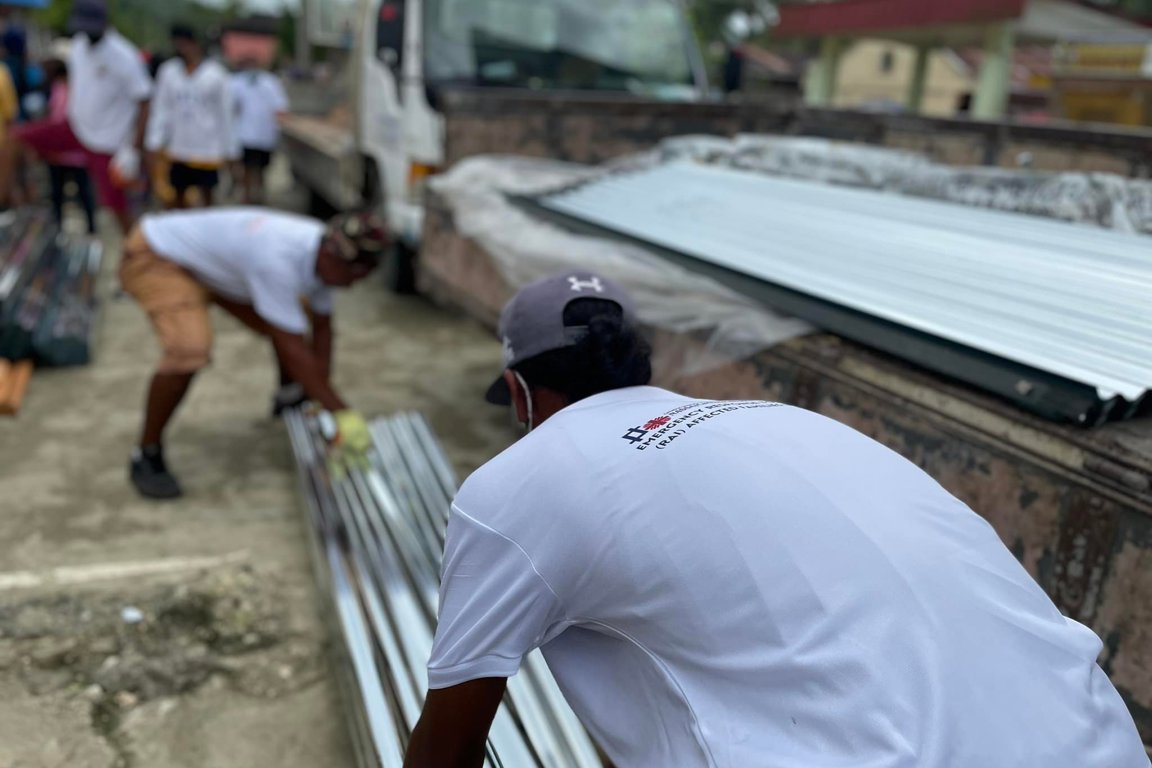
<point x="612" y="356"/>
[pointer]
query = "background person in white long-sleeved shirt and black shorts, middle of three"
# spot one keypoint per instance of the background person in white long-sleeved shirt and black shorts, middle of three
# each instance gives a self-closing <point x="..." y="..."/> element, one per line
<point x="192" y="121"/>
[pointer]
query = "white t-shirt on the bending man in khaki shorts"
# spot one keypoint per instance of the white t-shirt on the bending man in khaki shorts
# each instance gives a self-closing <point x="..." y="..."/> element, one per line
<point x="254" y="256"/>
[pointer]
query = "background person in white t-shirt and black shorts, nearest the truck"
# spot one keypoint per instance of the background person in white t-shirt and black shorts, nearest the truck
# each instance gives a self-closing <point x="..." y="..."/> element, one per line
<point x="261" y="102"/>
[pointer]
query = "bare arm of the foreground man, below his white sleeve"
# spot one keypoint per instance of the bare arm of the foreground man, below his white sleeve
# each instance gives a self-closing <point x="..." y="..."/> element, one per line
<point x="454" y="727"/>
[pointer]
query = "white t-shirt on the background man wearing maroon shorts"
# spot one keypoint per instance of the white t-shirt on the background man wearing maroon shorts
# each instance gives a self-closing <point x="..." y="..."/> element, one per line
<point x="108" y="81"/>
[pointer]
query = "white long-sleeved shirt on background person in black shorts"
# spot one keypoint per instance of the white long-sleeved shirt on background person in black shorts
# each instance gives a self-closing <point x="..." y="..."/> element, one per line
<point x="193" y="115"/>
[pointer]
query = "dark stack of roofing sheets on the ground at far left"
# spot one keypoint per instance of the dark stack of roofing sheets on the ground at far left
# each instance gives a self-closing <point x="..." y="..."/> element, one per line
<point x="48" y="292"/>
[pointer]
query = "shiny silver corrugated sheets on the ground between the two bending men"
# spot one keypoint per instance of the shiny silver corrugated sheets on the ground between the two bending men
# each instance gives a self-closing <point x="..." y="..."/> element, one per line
<point x="378" y="537"/>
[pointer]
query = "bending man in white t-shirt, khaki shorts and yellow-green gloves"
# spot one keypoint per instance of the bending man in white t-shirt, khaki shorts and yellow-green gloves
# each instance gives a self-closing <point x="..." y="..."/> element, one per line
<point x="270" y="270"/>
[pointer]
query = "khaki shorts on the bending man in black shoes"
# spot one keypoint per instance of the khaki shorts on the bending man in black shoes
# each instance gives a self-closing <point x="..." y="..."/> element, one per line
<point x="176" y="303"/>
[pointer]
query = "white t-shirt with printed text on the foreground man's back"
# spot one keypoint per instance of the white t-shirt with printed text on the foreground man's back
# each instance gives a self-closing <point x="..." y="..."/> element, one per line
<point x="749" y="585"/>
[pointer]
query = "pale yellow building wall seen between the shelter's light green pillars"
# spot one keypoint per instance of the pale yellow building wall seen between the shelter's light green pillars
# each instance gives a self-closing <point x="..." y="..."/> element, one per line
<point x="863" y="80"/>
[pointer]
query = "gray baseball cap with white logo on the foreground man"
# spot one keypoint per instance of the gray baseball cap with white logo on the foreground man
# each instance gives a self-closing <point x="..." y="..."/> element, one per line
<point x="533" y="323"/>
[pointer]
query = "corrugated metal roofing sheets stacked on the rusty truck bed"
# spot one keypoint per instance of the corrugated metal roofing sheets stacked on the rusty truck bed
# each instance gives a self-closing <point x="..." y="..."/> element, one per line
<point x="1052" y="316"/>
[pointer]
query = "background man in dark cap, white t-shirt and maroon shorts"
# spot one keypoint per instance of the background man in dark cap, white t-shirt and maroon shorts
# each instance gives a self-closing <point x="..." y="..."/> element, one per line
<point x="108" y="113"/>
